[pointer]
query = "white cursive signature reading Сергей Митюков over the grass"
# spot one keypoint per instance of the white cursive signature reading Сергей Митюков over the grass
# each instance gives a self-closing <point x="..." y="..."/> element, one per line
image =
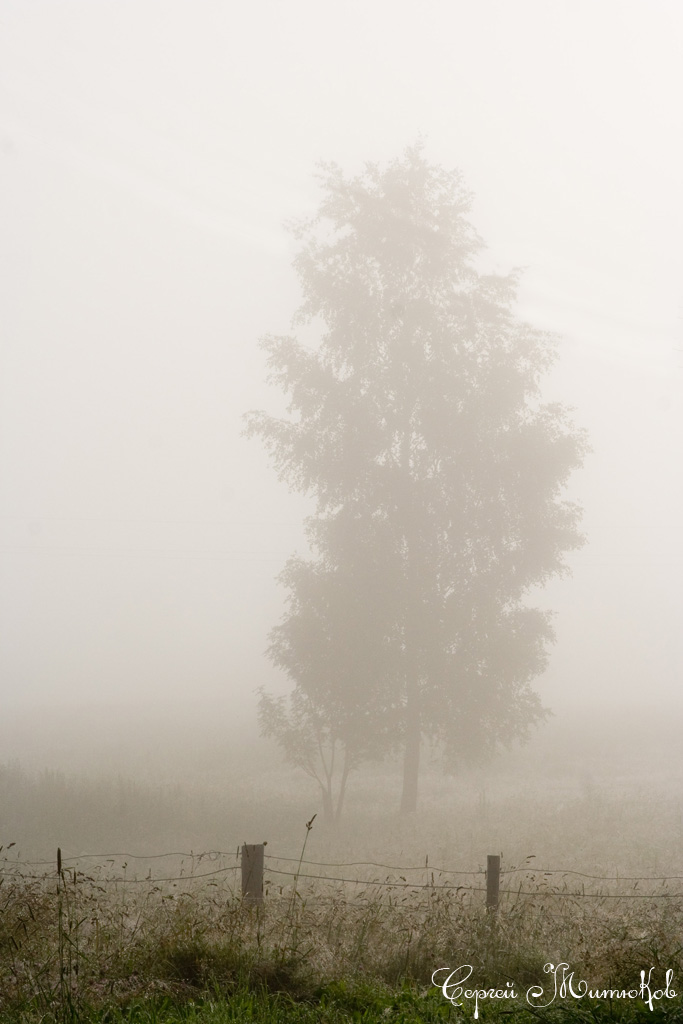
<point x="458" y="989"/>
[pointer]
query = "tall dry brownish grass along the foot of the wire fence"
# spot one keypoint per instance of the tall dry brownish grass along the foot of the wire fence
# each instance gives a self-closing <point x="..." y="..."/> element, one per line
<point x="76" y="941"/>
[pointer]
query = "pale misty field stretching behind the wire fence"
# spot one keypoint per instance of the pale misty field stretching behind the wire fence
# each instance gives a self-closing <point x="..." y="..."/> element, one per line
<point x="603" y="797"/>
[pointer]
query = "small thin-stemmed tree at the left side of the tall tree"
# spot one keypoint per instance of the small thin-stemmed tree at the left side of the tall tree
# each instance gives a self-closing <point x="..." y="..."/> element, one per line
<point x="328" y="645"/>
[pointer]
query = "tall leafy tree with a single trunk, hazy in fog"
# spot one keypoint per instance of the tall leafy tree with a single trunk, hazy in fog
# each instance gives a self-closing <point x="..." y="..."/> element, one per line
<point x="417" y="422"/>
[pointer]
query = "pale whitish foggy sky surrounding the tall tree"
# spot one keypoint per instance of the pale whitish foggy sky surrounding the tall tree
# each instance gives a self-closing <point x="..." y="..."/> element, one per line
<point x="150" y="154"/>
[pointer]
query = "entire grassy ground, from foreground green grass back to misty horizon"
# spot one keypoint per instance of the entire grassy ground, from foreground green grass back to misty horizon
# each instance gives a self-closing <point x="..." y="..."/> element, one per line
<point x="152" y="927"/>
